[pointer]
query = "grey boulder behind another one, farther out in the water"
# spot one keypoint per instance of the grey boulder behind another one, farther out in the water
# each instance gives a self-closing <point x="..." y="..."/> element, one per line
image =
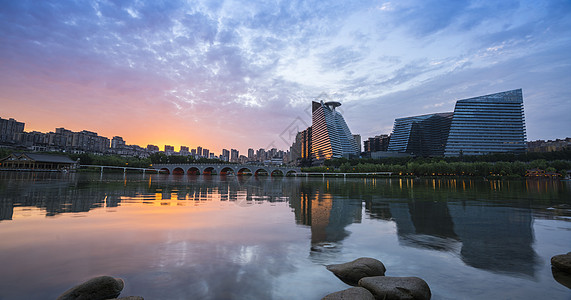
<point x="353" y="271"/>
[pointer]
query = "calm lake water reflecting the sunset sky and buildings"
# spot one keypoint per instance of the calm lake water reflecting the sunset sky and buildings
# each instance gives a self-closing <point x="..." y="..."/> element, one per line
<point x="216" y="237"/>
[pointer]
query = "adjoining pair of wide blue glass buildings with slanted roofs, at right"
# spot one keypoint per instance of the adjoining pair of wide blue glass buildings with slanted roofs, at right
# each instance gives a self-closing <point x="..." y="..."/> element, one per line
<point x="480" y="125"/>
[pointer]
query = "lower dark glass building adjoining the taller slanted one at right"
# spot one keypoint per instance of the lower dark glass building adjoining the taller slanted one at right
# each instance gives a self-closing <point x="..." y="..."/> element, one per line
<point x="424" y="135"/>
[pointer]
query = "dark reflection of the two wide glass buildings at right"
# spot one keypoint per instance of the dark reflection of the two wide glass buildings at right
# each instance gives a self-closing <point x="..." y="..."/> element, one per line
<point x="488" y="236"/>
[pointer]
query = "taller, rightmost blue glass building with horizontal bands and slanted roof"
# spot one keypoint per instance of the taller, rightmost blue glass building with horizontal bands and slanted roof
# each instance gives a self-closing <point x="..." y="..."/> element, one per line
<point x="488" y="124"/>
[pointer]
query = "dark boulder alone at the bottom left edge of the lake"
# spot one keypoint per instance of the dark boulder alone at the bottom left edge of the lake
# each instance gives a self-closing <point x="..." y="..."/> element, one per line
<point x="98" y="288"/>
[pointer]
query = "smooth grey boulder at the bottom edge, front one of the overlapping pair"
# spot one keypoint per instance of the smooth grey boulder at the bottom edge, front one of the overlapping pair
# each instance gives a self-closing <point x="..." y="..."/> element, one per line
<point x="393" y="288"/>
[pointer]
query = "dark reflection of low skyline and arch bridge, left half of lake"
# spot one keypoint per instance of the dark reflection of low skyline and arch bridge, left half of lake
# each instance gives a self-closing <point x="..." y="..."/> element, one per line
<point x="56" y="193"/>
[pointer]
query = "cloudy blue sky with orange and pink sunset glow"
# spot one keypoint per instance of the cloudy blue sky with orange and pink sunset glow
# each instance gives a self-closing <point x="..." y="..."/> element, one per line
<point x="242" y="74"/>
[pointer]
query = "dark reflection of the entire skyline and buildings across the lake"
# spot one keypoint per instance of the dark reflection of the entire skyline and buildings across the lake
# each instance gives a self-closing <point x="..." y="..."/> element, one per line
<point x="488" y="225"/>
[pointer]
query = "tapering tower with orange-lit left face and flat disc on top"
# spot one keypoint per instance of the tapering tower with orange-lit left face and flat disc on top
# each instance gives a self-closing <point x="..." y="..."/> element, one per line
<point x="331" y="137"/>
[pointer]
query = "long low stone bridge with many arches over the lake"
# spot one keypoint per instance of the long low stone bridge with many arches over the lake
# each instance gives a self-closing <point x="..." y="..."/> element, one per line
<point x="225" y="169"/>
